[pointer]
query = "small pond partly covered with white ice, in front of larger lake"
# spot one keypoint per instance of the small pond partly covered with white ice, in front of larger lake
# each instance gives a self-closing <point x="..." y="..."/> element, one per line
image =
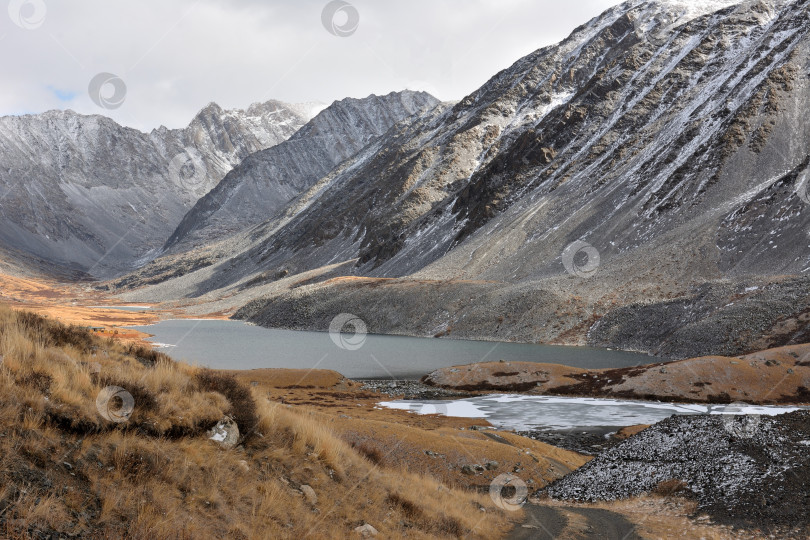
<point x="539" y="413"/>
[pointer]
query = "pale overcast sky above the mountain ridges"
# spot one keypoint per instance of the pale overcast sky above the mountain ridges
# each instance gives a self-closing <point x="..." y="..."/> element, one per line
<point x="169" y="59"/>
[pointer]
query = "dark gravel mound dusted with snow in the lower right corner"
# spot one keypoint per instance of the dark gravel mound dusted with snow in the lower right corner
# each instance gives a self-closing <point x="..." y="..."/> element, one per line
<point x="750" y="474"/>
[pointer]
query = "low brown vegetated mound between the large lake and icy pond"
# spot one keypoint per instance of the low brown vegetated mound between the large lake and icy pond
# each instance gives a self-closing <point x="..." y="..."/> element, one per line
<point x="775" y="376"/>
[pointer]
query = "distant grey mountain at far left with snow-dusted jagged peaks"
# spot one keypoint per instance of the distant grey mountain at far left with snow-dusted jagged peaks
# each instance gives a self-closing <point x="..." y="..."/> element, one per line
<point x="92" y="197"/>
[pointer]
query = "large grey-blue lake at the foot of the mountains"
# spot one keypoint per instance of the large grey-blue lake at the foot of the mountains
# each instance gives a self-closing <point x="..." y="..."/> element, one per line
<point x="225" y="344"/>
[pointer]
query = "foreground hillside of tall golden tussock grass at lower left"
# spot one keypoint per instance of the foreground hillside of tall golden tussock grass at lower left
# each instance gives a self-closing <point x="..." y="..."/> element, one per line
<point x="65" y="469"/>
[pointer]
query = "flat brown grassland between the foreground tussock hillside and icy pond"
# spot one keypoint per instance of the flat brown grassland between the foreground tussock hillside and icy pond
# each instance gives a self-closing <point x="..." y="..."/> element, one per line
<point x="436" y="445"/>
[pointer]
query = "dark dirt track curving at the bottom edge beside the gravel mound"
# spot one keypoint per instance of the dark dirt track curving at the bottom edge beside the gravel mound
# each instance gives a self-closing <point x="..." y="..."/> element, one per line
<point x="546" y="523"/>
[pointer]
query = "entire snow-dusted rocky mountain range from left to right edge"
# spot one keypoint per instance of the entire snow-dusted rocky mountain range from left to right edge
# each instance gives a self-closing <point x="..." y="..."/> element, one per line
<point x="641" y="184"/>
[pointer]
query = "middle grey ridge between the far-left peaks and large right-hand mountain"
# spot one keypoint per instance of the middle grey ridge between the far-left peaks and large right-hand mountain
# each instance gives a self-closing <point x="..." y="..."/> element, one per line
<point x="266" y="181"/>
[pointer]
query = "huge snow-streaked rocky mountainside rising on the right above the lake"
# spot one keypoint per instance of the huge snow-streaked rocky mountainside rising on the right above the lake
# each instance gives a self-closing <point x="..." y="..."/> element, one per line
<point x="656" y="160"/>
